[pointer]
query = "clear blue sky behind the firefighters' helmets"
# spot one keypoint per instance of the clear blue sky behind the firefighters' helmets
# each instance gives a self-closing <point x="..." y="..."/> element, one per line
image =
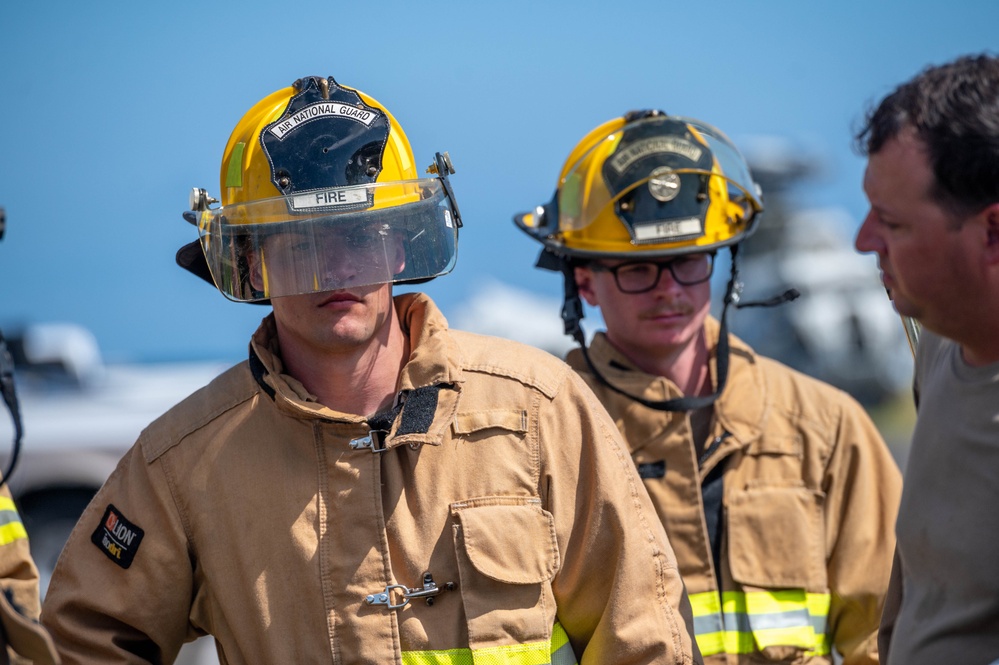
<point x="111" y="115"/>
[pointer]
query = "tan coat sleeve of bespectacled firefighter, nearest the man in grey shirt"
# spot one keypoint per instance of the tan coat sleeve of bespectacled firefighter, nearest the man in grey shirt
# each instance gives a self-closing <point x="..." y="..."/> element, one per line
<point x="863" y="486"/>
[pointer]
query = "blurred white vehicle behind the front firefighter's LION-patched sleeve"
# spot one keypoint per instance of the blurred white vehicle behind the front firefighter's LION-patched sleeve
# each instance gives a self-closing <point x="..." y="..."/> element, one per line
<point x="79" y="416"/>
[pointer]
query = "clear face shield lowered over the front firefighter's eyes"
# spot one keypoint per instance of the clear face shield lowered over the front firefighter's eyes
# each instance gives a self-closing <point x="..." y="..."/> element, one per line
<point x="331" y="239"/>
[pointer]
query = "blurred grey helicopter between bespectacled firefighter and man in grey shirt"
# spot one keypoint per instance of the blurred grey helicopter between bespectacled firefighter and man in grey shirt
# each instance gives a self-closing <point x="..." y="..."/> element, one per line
<point x="843" y="329"/>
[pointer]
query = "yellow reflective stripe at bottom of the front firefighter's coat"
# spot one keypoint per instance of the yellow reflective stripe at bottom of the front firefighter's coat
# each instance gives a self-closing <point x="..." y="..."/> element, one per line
<point x="555" y="651"/>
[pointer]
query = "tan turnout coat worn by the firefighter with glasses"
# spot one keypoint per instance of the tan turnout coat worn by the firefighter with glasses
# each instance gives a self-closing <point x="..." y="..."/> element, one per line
<point x="810" y="494"/>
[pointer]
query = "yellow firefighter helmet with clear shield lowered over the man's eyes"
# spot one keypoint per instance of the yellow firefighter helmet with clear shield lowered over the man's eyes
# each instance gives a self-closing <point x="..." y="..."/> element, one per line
<point x="320" y="192"/>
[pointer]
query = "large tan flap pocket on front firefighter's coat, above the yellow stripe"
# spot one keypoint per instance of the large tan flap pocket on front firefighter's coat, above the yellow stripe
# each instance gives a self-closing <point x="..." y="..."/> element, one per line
<point x="507" y="557"/>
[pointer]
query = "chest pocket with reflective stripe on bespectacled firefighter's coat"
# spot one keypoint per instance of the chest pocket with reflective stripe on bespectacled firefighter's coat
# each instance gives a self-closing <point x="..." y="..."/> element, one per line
<point x="776" y="555"/>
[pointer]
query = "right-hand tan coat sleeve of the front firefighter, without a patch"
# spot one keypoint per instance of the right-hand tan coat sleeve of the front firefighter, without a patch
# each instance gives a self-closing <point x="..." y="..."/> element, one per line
<point x="619" y="594"/>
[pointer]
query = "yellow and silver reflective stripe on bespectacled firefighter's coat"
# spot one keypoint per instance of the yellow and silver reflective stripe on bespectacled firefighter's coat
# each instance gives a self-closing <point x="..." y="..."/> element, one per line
<point x="738" y="622"/>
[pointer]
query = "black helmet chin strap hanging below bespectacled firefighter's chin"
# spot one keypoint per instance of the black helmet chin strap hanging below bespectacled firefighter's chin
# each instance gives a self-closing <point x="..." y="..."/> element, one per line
<point x="572" y="314"/>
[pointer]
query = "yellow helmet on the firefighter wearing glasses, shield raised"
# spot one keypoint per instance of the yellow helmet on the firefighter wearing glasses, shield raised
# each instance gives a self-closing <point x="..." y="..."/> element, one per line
<point x="648" y="185"/>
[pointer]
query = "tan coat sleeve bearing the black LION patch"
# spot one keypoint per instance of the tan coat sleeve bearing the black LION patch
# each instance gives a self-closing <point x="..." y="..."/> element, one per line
<point x="121" y="590"/>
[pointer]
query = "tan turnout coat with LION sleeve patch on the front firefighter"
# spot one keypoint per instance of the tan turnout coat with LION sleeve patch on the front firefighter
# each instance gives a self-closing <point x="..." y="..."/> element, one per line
<point x="267" y="522"/>
